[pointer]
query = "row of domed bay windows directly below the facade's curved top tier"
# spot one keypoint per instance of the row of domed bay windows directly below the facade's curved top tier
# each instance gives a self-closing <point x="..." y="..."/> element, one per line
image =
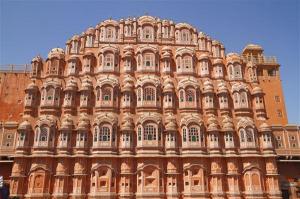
<point x="147" y="59"/>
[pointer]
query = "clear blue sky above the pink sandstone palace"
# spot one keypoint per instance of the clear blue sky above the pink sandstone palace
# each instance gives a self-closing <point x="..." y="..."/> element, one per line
<point x="31" y="27"/>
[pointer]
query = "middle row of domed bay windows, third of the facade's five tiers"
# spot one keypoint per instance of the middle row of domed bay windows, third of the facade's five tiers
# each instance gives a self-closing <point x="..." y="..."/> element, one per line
<point x="146" y="94"/>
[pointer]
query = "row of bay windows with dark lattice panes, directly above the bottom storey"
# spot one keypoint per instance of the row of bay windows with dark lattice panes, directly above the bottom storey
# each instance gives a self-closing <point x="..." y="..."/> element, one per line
<point x="148" y="134"/>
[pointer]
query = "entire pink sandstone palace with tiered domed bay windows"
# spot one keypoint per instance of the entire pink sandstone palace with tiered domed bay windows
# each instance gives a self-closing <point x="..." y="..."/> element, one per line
<point x="148" y="108"/>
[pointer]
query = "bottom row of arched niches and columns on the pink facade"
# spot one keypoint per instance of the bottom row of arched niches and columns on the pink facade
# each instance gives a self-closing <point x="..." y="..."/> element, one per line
<point x="149" y="178"/>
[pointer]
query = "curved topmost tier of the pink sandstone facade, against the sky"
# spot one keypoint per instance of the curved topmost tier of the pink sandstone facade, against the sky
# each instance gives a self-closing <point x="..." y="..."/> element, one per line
<point x="145" y="29"/>
